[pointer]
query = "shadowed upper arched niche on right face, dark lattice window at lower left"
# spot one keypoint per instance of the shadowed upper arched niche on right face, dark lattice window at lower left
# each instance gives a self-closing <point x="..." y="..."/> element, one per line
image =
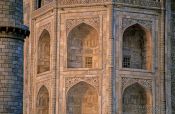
<point x="137" y="48"/>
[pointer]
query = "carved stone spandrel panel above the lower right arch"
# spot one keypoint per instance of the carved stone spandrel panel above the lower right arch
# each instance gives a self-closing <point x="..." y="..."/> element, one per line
<point x="126" y="82"/>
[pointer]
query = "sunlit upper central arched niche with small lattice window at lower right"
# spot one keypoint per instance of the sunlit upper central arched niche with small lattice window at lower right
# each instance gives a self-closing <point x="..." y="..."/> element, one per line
<point x="83" y="47"/>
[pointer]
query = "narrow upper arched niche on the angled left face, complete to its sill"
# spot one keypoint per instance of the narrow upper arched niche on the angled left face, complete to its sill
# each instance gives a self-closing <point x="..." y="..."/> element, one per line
<point x="43" y="52"/>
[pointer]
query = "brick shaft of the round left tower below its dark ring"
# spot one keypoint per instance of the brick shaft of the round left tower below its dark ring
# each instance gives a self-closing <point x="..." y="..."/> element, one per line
<point x="11" y="70"/>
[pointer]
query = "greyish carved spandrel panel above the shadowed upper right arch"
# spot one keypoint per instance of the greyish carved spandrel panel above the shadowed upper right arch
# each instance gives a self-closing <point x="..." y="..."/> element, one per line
<point x="126" y="22"/>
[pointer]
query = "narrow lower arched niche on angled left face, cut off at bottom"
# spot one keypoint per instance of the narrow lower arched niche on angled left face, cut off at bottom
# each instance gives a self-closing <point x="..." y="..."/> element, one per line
<point x="42" y="105"/>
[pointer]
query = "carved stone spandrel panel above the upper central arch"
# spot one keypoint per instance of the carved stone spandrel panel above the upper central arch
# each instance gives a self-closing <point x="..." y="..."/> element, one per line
<point x="71" y="23"/>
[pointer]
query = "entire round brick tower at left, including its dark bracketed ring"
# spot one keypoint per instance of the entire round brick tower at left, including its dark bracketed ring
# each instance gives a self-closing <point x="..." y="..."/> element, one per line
<point x="12" y="34"/>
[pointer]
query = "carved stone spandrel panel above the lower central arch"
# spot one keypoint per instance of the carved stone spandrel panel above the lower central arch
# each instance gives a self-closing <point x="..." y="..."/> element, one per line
<point x="71" y="81"/>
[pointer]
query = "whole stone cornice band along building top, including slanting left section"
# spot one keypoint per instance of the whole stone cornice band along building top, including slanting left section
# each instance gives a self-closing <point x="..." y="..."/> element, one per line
<point x="142" y="4"/>
